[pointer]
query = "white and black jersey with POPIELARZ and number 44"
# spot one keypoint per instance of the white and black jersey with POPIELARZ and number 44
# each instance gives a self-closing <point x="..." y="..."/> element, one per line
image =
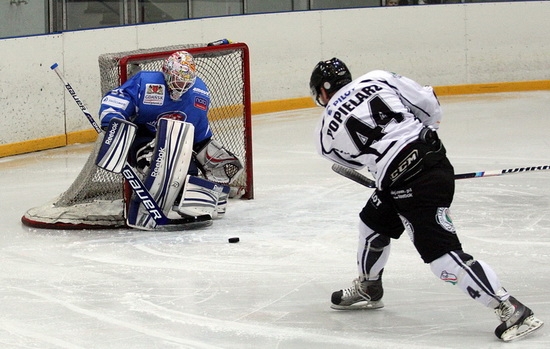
<point x="370" y="120"/>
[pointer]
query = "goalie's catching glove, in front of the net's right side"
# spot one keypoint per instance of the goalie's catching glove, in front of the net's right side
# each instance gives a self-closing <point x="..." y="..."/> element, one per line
<point x="219" y="164"/>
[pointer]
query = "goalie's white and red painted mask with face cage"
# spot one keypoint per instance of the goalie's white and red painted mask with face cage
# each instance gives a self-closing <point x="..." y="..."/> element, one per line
<point x="180" y="73"/>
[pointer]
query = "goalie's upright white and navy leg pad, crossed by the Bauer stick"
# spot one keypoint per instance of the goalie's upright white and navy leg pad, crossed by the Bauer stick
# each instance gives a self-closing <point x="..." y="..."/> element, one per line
<point x="167" y="171"/>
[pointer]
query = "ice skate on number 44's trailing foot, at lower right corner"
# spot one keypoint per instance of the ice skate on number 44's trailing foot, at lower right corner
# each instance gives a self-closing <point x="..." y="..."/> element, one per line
<point x="517" y="320"/>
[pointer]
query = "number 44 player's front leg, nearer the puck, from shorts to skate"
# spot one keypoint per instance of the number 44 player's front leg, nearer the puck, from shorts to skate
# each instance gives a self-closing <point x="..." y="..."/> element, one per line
<point x="378" y="216"/>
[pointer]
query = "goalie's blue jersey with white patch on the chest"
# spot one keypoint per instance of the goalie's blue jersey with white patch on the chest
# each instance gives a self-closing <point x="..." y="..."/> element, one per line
<point x="145" y="98"/>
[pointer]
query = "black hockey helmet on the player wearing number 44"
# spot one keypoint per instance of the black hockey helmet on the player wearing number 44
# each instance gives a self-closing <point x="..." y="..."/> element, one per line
<point x="330" y="75"/>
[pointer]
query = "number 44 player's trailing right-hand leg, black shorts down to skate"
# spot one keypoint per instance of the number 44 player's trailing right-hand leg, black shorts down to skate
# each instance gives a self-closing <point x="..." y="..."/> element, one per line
<point x="433" y="234"/>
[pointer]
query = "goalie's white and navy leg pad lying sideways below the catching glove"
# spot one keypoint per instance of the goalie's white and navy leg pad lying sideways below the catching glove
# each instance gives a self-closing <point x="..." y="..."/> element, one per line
<point x="203" y="197"/>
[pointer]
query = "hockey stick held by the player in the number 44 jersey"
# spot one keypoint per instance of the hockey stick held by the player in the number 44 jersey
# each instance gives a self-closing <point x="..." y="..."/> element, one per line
<point x="369" y="183"/>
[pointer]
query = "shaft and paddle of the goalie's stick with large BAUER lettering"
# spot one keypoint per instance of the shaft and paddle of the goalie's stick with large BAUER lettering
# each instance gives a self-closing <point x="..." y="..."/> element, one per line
<point x="127" y="171"/>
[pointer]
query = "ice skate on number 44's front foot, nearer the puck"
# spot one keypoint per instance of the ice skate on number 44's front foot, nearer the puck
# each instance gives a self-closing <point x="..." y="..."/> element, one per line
<point x="361" y="295"/>
